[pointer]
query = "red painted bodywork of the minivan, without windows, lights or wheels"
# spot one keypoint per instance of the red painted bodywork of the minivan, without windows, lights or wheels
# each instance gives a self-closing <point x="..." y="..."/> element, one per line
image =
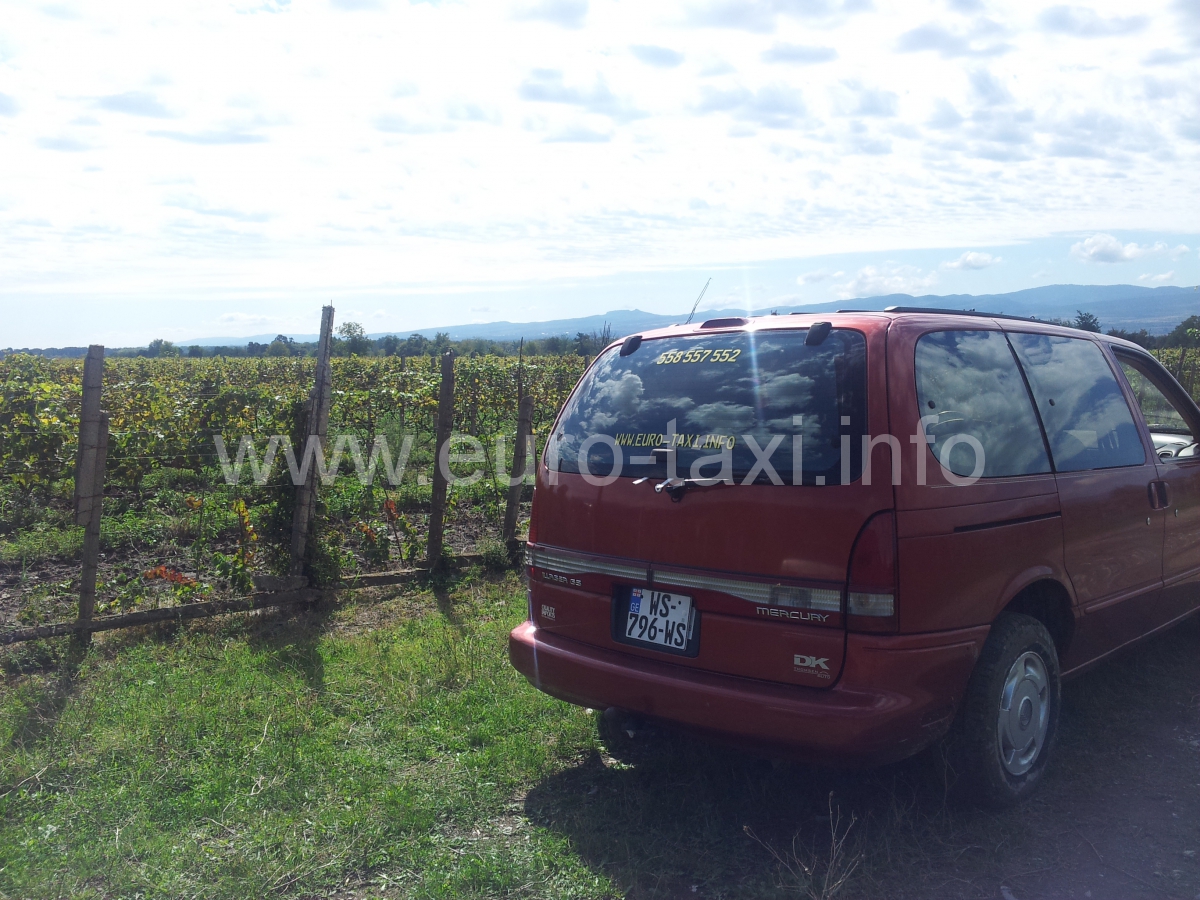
<point x="963" y="555"/>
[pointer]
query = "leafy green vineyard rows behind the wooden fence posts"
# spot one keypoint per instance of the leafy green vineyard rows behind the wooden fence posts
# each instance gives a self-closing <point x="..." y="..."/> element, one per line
<point x="177" y="529"/>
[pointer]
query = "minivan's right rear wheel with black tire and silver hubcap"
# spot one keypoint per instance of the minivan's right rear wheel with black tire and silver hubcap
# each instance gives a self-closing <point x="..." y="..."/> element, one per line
<point x="1006" y="730"/>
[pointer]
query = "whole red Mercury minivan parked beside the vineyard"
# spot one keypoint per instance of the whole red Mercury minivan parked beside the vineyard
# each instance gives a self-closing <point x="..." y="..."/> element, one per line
<point x="835" y="538"/>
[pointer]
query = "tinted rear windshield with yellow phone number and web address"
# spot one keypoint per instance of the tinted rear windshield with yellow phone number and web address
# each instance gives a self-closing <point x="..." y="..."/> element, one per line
<point x="758" y="407"/>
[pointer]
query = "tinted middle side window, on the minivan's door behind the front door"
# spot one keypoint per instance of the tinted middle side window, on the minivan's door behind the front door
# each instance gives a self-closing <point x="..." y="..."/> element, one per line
<point x="1088" y="421"/>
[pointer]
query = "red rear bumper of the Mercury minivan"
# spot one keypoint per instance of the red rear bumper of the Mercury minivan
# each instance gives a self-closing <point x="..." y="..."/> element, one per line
<point x="897" y="694"/>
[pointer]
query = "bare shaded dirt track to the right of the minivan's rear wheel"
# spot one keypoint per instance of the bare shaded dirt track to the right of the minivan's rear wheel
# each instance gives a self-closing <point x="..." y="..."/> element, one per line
<point x="1121" y="813"/>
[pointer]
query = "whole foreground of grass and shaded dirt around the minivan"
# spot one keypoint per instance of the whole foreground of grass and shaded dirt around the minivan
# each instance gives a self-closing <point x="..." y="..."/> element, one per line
<point x="387" y="749"/>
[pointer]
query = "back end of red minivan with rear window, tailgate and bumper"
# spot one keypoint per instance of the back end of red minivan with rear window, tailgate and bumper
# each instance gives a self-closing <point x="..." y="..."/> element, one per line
<point x="706" y="547"/>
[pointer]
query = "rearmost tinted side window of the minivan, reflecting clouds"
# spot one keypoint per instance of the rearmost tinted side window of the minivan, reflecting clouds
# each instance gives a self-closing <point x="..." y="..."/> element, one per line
<point x="971" y="382"/>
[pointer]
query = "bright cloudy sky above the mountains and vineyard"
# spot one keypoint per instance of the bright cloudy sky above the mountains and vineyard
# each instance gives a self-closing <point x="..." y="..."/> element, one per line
<point x="196" y="170"/>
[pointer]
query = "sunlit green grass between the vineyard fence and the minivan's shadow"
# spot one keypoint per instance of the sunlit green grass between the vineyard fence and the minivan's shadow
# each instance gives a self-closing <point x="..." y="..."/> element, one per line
<point x="211" y="765"/>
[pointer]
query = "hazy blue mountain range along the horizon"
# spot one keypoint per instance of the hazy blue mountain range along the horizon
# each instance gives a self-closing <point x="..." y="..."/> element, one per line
<point x="1125" y="307"/>
